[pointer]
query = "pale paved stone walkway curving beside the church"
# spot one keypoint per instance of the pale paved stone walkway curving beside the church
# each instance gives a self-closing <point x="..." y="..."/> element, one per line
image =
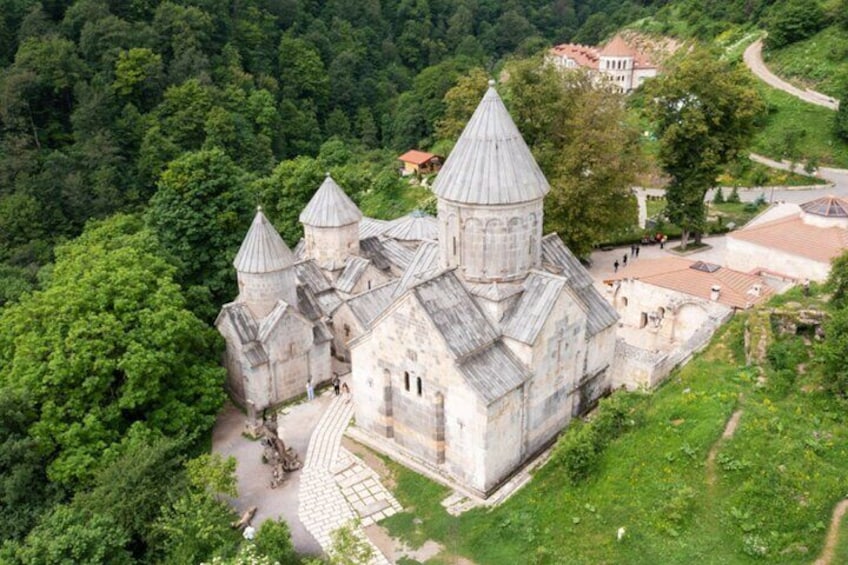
<point x="336" y="487"/>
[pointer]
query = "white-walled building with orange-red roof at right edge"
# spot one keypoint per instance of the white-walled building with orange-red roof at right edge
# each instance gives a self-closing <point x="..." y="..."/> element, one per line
<point x="791" y="240"/>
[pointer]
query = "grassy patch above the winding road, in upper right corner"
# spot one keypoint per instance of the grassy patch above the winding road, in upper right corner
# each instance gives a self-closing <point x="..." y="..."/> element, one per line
<point x="819" y="63"/>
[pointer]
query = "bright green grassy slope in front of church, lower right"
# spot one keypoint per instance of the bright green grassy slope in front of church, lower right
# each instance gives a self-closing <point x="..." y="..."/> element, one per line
<point x="775" y="481"/>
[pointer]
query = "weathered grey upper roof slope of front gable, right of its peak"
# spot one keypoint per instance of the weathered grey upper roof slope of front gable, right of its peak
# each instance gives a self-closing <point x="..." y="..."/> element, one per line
<point x="455" y="314"/>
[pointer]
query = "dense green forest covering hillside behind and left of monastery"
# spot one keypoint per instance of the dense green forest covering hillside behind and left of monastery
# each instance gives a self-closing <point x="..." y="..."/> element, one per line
<point x="136" y="138"/>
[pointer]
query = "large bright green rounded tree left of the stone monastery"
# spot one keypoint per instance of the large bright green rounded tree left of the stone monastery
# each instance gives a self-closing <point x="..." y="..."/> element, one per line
<point x="107" y="344"/>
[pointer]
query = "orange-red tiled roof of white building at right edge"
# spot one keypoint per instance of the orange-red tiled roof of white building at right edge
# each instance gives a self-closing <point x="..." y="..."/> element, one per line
<point x="791" y="235"/>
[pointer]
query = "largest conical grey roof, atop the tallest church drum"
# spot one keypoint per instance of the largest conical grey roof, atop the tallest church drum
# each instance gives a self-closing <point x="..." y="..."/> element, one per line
<point x="491" y="163"/>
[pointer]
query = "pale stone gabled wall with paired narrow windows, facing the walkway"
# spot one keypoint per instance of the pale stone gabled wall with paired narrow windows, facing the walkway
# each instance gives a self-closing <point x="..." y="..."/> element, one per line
<point x="405" y="347"/>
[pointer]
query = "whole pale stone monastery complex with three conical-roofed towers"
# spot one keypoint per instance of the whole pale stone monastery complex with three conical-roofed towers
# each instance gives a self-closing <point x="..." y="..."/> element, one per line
<point x="472" y="339"/>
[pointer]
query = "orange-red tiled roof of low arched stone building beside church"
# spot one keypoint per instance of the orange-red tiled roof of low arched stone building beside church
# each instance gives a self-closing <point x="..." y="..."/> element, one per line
<point x="677" y="274"/>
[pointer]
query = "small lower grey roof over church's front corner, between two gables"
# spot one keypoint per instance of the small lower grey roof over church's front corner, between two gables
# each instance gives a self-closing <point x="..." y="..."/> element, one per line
<point x="493" y="372"/>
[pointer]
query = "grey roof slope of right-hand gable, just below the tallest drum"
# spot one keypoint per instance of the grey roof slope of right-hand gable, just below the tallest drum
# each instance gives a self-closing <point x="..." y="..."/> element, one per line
<point x="534" y="307"/>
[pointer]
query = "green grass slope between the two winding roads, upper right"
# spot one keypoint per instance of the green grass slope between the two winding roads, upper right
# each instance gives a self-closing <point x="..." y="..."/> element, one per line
<point x="796" y="129"/>
